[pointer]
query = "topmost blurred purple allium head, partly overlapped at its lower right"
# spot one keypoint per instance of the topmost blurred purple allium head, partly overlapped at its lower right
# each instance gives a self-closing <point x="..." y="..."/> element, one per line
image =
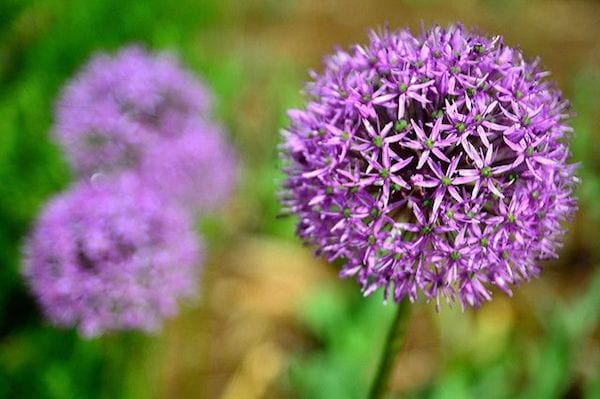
<point x="117" y="105"/>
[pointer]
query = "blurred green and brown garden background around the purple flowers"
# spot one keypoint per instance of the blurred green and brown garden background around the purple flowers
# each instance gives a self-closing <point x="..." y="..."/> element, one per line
<point x="272" y="321"/>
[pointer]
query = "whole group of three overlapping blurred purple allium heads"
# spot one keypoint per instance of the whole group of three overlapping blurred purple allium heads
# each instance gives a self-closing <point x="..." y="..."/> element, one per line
<point x="118" y="249"/>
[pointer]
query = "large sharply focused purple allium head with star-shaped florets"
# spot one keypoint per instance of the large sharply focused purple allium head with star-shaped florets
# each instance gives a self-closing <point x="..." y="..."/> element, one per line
<point x="433" y="164"/>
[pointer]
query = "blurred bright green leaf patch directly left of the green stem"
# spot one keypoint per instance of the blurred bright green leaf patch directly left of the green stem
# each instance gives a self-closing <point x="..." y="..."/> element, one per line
<point x="350" y="330"/>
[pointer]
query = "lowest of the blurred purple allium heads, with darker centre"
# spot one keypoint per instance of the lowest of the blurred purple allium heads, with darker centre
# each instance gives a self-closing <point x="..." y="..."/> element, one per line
<point x="111" y="256"/>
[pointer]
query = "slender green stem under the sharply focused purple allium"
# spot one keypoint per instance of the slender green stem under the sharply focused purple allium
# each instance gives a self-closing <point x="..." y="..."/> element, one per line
<point x="392" y="347"/>
